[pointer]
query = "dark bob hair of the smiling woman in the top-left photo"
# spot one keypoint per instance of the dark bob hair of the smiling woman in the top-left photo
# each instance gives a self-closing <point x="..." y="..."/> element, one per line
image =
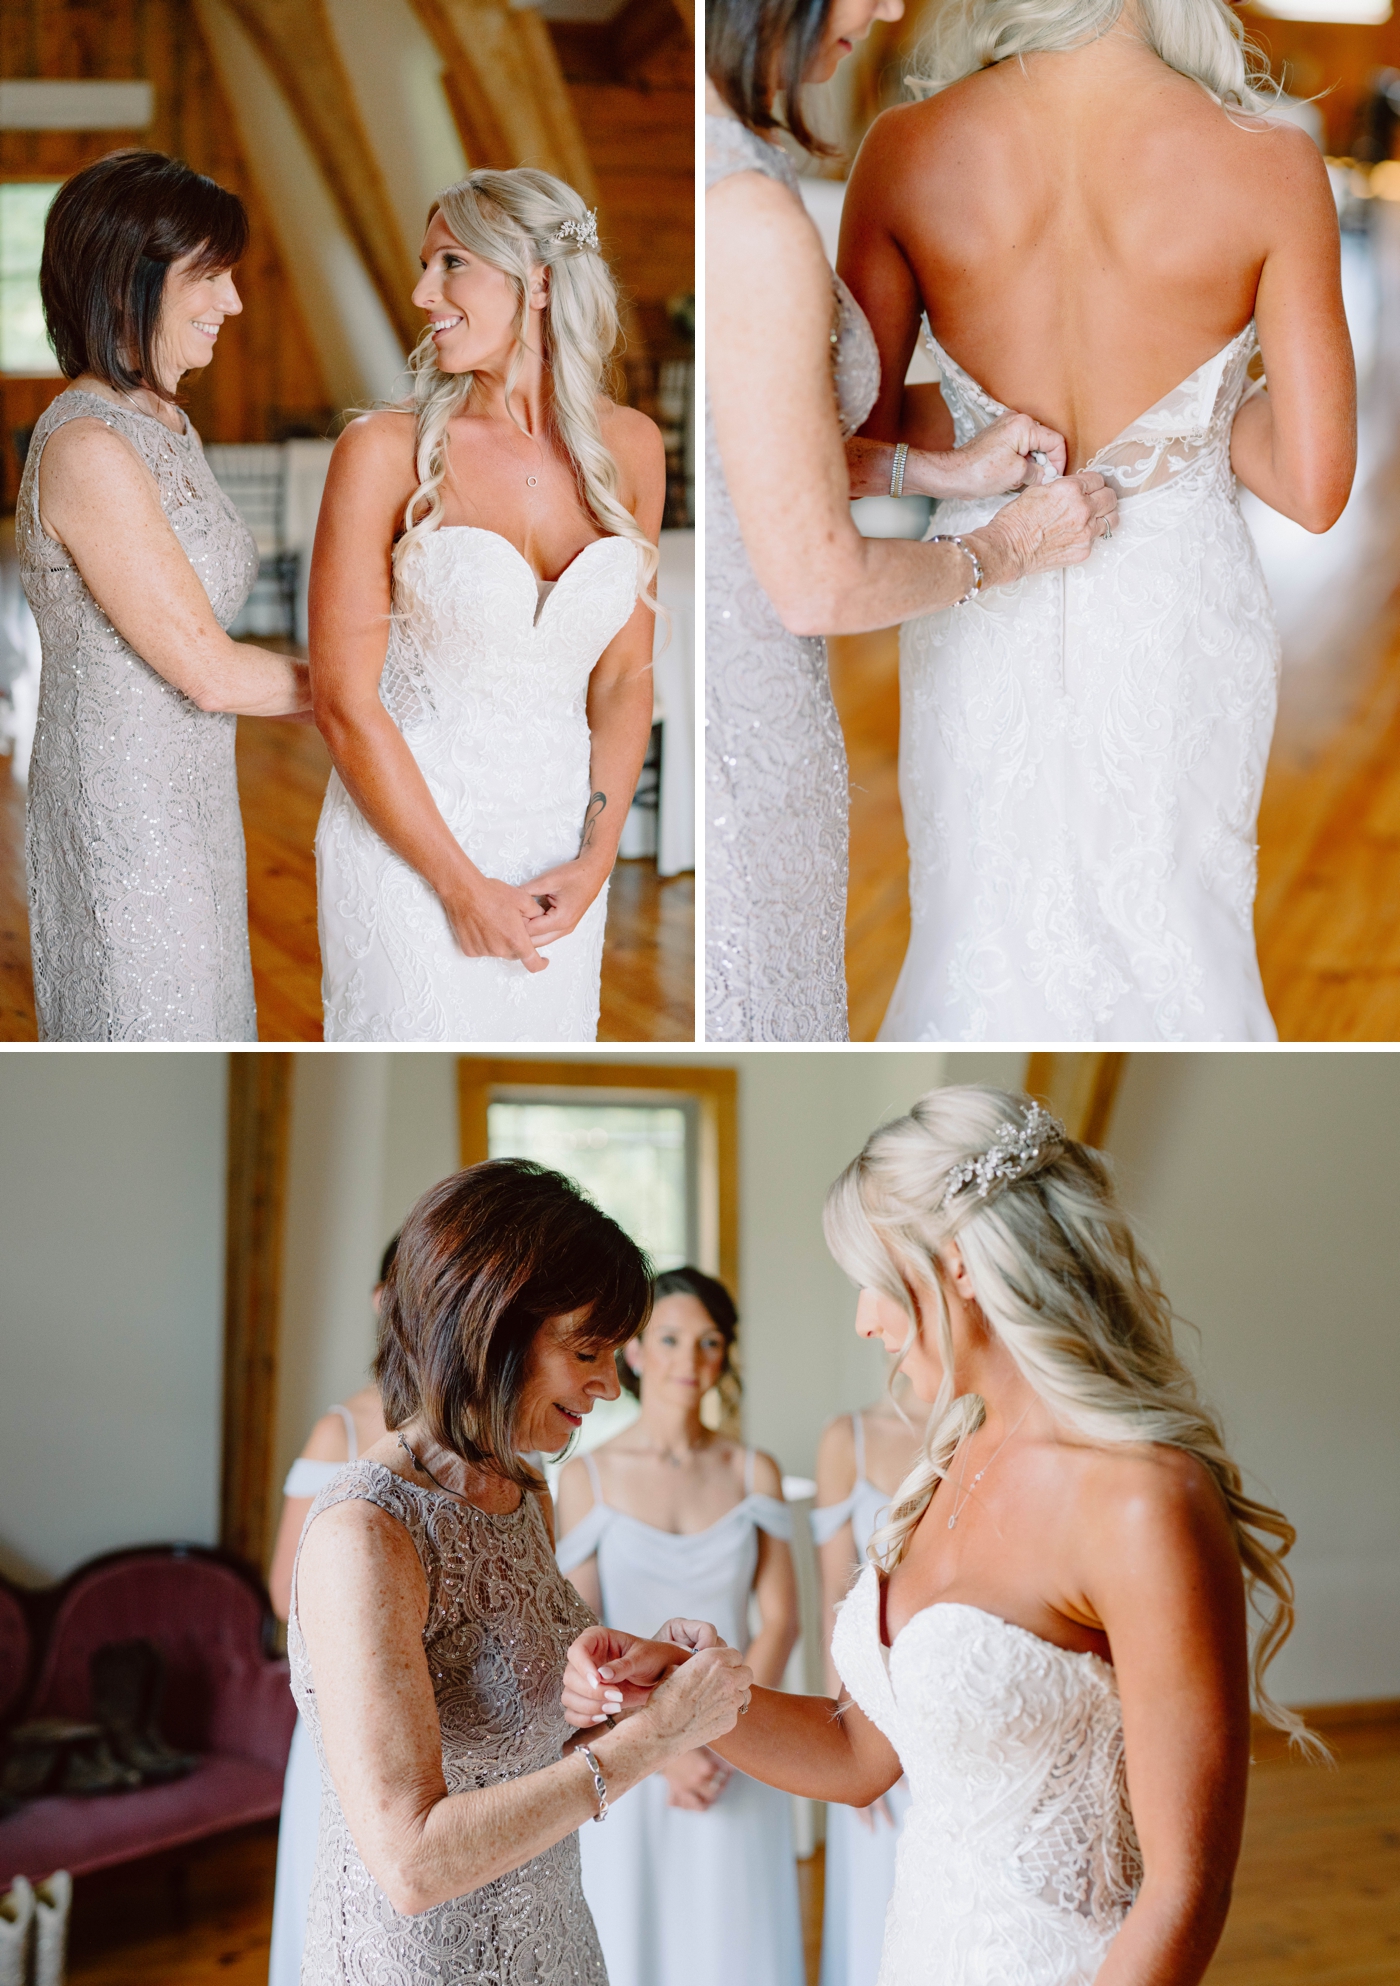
<point x="110" y="241"/>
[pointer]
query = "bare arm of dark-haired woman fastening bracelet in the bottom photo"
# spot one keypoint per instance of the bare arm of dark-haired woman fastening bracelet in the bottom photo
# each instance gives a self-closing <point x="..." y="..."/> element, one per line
<point x="362" y="1606"/>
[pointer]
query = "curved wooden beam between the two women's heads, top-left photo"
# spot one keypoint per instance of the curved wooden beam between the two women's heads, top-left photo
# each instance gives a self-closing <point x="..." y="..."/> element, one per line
<point x="297" y="43"/>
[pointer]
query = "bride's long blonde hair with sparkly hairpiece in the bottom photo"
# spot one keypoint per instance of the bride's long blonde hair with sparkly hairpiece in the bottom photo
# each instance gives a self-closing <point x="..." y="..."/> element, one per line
<point x="1061" y="1280"/>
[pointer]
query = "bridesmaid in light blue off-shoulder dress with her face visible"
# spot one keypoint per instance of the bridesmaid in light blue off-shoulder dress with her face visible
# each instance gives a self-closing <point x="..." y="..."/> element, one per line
<point x="700" y="1894"/>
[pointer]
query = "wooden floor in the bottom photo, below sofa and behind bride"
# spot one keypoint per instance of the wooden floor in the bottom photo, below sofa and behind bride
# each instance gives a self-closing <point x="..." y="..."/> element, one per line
<point x="1318" y="1898"/>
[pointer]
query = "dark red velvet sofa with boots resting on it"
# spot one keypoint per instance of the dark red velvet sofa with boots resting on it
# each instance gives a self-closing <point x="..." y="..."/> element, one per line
<point x="225" y="1699"/>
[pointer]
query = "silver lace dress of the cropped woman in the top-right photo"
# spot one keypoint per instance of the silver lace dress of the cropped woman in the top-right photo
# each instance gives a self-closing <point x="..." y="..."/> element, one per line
<point x="775" y="760"/>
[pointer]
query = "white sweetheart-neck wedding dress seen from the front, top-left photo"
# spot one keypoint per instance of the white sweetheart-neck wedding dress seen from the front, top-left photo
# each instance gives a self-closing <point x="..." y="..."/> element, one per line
<point x="488" y="680"/>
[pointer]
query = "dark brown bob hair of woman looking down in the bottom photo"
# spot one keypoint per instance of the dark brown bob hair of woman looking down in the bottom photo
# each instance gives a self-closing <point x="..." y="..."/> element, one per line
<point x="484" y="1262"/>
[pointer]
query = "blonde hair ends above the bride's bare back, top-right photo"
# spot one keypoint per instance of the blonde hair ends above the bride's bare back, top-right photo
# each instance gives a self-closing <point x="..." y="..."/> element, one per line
<point x="1200" y="39"/>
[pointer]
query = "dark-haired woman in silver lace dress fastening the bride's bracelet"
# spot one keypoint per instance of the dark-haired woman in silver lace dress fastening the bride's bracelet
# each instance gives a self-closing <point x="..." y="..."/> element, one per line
<point x="430" y="1624"/>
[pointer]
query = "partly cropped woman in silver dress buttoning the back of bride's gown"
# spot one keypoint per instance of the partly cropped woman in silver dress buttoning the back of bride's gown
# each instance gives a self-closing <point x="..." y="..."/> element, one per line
<point x="791" y="372"/>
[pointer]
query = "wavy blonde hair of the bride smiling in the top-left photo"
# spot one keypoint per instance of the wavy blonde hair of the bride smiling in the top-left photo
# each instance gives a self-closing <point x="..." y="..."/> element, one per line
<point x="513" y="221"/>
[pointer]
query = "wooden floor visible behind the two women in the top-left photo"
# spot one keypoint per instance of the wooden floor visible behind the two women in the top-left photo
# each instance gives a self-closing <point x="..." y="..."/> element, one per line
<point x="648" y="990"/>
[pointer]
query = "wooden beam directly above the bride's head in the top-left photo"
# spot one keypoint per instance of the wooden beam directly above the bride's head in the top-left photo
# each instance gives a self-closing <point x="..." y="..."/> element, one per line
<point x="507" y="88"/>
